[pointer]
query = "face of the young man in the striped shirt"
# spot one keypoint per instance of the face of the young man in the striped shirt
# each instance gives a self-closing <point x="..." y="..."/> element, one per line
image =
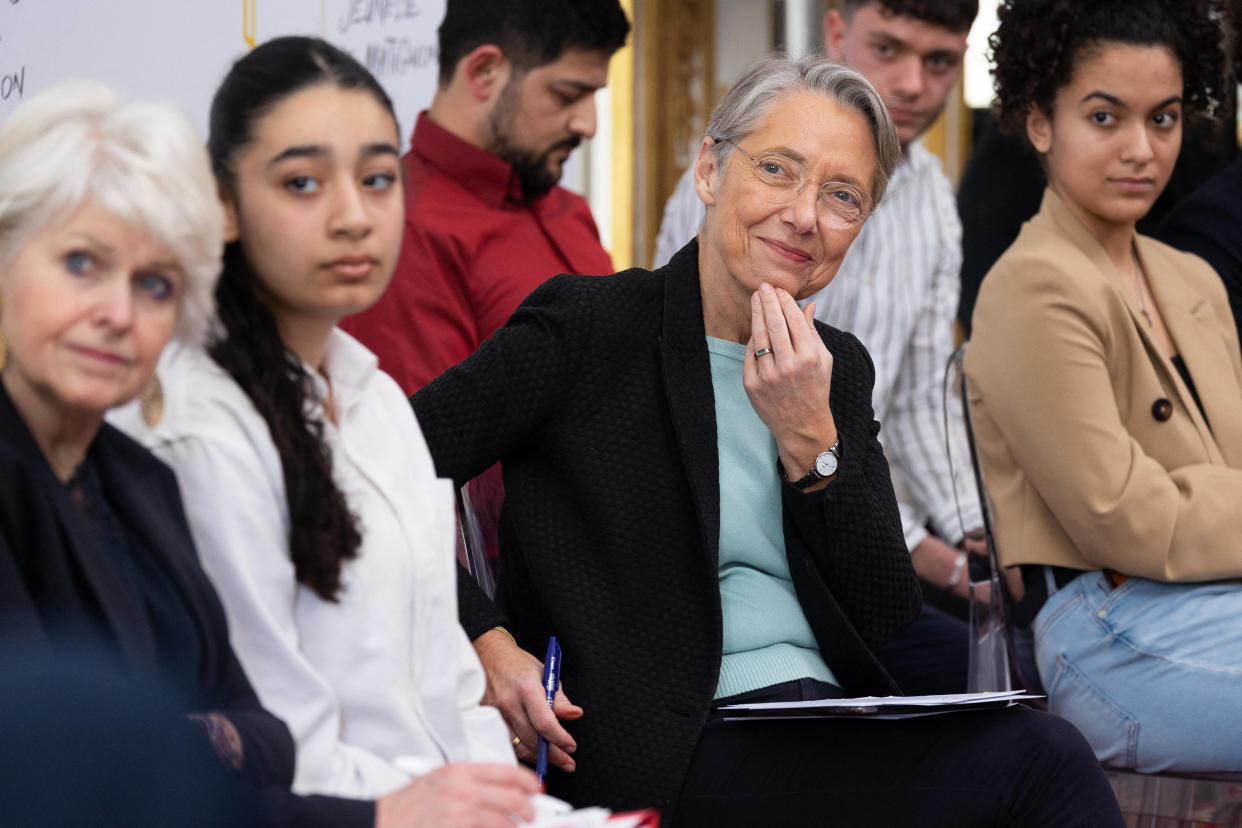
<point x="912" y="64"/>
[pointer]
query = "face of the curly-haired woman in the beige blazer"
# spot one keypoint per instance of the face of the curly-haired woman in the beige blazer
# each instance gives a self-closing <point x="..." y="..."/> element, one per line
<point x="1113" y="137"/>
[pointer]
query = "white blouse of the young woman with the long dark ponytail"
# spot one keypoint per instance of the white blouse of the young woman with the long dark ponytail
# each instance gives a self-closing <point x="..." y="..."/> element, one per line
<point x="384" y="682"/>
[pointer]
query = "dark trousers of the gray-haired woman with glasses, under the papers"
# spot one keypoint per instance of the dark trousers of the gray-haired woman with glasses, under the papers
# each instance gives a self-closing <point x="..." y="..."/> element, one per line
<point x="1009" y="767"/>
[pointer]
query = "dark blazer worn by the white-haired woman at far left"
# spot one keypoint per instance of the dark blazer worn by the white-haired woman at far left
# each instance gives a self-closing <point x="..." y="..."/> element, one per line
<point x="50" y="560"/>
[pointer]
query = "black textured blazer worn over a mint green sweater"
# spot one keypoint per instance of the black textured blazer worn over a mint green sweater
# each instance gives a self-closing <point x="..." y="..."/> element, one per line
<point x="597" y="398"/>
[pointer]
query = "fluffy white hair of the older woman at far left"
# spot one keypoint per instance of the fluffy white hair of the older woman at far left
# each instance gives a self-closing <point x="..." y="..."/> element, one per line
<point x="75" y="143"/>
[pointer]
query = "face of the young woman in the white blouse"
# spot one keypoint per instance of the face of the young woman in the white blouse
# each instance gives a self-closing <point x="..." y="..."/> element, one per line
<point x="319" y="207"/>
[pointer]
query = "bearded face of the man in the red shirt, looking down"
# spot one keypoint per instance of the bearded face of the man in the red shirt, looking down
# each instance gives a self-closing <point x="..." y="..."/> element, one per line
<point x="542" y="115"/>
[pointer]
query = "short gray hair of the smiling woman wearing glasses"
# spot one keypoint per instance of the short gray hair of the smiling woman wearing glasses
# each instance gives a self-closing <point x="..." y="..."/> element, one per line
<point x="751" y="100"/>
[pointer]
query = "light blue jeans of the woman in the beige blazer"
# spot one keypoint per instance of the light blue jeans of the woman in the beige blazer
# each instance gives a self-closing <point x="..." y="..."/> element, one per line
<point x="1149" y="672"/>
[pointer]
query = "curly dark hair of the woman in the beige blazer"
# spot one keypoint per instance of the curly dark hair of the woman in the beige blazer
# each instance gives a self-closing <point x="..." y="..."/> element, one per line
<point x="1039" y="43"/>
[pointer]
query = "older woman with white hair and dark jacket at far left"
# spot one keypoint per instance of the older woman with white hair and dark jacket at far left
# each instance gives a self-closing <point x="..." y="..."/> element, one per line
<point x="111" y="235"/>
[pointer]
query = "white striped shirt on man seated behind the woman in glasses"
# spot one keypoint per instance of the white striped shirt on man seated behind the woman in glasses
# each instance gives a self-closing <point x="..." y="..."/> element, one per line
<point x="897" y="292"/>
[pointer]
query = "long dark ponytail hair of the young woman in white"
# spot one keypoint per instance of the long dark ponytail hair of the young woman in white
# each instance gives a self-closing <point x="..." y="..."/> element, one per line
<point x="324" y="532"/>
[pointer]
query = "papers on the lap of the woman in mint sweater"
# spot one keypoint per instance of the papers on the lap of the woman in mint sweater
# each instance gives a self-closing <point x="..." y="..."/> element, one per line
<point x="890" y="707"/>
